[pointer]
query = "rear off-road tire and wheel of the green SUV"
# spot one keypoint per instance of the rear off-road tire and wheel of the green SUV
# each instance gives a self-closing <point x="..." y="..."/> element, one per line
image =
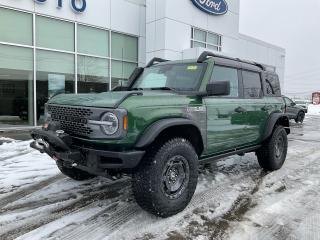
<point x="270" y="157"/>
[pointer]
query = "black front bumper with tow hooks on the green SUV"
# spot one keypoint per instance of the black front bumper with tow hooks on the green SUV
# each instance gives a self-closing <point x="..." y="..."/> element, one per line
<point x="60" y="148"/>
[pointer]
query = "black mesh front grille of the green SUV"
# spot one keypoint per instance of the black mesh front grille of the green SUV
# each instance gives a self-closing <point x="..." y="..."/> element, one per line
<point x="73" y="120"/>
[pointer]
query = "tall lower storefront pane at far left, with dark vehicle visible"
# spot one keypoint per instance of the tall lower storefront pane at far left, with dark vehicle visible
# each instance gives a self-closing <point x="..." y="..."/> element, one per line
<point x="16" y="86"/>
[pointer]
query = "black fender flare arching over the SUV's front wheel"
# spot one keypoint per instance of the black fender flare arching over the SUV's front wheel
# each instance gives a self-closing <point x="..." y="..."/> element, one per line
<point x="153" y="131"/>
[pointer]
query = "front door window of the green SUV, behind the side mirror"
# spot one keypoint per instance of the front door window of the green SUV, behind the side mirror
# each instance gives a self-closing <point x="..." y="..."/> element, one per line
<point x="227" y="74"/>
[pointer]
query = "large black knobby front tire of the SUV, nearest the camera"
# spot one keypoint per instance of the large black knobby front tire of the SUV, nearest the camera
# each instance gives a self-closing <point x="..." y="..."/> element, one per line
<point x="148" y="181"/>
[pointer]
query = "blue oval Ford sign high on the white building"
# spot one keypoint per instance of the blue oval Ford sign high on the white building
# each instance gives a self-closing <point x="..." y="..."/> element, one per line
<point x="214" y="7"/>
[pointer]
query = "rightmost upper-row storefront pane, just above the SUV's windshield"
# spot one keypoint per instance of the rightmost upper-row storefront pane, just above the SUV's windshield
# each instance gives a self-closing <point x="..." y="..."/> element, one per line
<point x="124" y="47"/>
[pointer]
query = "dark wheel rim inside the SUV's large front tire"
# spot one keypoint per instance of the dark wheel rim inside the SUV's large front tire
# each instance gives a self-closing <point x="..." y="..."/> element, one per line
<point x="175" y="177"/>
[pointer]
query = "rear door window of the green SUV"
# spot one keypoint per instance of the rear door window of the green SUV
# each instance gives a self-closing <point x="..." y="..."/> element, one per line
<point x="251" y="84"/>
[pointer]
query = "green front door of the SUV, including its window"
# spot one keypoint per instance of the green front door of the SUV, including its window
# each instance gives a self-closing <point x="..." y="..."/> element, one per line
<point x="225" y="117"/>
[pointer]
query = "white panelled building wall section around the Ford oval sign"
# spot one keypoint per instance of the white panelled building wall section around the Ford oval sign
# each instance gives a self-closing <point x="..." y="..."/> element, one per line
<point x="168" y="33"/>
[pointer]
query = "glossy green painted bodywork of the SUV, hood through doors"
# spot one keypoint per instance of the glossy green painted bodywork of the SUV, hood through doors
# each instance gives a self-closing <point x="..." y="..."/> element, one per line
<point x="226" y="129"/>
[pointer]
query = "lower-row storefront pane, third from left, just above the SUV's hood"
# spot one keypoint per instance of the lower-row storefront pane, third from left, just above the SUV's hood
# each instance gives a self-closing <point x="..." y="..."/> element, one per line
<point x="93" y="75"/>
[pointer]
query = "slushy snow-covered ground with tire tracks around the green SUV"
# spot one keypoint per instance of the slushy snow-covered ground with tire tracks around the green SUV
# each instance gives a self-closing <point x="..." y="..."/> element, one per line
<point x="234" y="199"/>
